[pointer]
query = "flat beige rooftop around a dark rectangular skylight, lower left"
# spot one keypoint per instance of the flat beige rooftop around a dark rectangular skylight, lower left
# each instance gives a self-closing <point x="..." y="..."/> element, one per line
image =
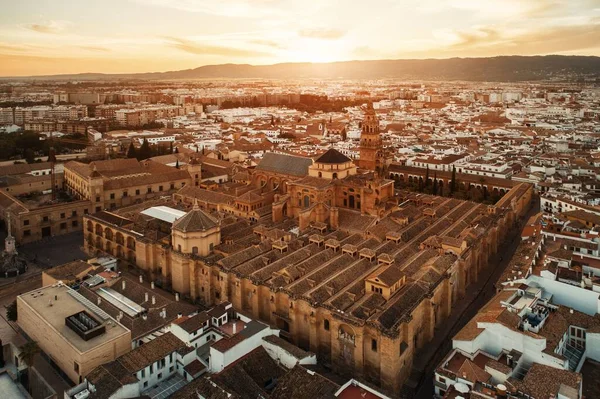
<point x="67" y="303"/>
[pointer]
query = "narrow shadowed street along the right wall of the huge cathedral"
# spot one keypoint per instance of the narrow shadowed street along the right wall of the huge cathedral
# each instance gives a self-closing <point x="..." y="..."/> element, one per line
<point x="421" y="379"/>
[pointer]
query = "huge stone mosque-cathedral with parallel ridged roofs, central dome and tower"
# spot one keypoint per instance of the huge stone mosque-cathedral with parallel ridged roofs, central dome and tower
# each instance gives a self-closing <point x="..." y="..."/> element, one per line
<point x="340" y="268"/>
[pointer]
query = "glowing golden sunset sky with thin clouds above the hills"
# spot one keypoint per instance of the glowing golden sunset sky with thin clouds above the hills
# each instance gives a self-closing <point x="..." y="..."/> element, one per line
<point x="42" y="37"/>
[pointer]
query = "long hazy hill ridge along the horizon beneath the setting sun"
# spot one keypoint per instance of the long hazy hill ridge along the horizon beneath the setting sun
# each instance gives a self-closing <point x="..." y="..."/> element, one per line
<point x="500" y="69"/>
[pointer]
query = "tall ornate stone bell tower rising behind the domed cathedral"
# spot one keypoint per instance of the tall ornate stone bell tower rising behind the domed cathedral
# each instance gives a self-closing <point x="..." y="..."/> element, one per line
<point x="371" y="146"/>
